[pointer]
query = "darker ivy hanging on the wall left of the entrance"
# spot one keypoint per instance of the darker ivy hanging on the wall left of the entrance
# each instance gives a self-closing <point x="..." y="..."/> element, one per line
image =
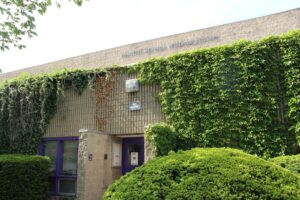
<point x="27" y="104"/>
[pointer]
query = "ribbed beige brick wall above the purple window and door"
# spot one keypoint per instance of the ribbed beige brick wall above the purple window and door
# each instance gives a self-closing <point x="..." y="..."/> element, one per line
<point x="83" y="112"/>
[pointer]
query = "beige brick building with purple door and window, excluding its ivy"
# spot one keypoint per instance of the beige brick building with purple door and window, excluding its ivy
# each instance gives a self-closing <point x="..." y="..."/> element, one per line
<point x="92" y="141"/>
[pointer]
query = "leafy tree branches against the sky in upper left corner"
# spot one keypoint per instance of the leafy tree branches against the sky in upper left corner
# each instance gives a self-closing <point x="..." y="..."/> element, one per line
<point x="17" y="19"/>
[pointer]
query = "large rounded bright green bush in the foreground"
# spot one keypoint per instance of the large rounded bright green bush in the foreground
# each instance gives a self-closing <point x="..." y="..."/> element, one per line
<point x="203" y="173"/>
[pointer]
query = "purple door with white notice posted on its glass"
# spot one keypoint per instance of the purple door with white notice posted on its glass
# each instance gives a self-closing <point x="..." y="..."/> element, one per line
<point x="132" y="153"/>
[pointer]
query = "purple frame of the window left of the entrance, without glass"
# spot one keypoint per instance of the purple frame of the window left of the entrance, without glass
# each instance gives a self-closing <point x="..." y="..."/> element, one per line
<point x="59" y="163"/>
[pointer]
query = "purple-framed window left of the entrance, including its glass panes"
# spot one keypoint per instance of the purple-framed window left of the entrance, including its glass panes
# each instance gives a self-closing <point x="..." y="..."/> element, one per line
<point x="63" y="171"/>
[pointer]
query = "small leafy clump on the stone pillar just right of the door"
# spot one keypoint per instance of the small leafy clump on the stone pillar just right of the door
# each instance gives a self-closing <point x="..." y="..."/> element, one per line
<point x="163" y="138"/>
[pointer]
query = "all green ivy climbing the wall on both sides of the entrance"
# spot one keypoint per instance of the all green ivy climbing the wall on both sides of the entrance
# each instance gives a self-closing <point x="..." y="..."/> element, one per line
<point x="245" y="95"/>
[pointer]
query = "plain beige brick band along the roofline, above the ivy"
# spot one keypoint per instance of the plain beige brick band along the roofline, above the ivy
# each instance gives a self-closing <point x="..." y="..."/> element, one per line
<point x="249" y="29"/>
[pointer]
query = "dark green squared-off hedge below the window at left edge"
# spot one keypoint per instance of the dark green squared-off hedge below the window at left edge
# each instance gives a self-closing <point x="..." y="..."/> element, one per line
<point x="23" y="177"/>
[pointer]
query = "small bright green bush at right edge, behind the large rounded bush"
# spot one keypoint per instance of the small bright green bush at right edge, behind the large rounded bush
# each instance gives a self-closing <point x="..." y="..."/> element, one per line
<point x="291" y="163"/>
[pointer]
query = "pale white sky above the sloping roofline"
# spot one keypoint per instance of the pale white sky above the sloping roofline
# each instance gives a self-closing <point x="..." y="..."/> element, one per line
<point x="102" y="24"/>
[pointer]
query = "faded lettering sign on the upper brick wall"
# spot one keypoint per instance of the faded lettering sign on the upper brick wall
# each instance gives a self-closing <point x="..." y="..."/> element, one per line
<point x="175" y="45"/>
